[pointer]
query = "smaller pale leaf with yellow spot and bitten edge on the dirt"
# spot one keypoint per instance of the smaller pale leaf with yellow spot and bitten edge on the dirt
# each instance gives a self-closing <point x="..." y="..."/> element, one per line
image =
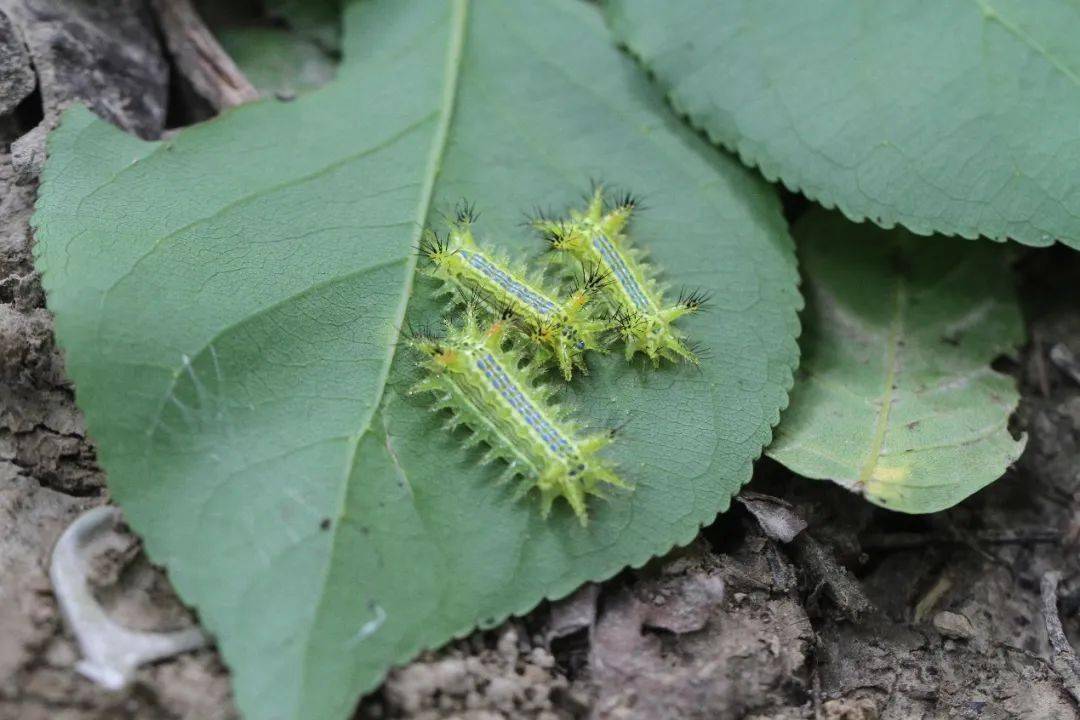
<point x="896" y="399"/>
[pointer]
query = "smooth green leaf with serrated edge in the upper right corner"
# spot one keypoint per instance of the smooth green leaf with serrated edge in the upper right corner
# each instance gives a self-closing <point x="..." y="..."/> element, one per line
<point x="957" y="117"/>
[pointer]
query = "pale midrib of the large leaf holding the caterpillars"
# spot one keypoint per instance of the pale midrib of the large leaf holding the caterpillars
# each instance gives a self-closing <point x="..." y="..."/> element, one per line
<point x="455" y="47"/>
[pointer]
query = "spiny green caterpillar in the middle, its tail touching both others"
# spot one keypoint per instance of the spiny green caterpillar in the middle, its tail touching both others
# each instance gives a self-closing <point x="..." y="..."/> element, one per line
<point x="563" y="329"/>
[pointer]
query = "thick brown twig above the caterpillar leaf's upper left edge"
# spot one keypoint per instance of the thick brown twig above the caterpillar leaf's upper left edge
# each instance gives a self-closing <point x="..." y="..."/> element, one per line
<point x="199" y="57"/>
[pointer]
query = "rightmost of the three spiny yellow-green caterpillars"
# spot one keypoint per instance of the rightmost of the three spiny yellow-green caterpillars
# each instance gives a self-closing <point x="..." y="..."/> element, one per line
<point x="634" y="297"/>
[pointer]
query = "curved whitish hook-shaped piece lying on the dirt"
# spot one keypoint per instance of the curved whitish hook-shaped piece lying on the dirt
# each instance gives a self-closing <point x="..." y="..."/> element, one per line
<point x="111" y="653"/>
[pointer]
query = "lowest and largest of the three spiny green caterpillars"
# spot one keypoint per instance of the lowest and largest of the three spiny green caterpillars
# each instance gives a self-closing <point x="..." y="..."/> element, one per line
<point x="490" y="391"/>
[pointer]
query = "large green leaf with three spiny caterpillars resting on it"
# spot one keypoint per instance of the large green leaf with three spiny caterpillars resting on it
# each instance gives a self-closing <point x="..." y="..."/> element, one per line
<point x="229" y="302"/>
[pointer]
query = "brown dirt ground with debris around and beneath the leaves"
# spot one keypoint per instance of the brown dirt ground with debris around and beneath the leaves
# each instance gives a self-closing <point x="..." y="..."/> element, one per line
<point x="866" y="615"/>
